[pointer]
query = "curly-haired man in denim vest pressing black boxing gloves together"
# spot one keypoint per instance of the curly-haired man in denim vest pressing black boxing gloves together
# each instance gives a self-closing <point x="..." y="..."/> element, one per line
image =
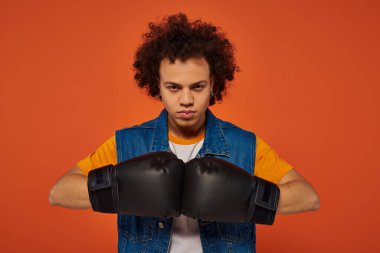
<point x="221" y="180"/>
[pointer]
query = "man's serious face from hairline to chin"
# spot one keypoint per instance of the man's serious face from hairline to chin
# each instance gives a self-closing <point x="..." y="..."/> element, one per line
<point x="185" y="90"/>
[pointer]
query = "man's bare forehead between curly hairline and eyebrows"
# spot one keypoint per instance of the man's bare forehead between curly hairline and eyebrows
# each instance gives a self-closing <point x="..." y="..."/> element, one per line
<point x="193" y="69"/>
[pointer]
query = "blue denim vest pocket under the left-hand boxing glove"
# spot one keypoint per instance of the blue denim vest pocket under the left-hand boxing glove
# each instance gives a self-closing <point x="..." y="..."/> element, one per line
<point x="136" y="228"/>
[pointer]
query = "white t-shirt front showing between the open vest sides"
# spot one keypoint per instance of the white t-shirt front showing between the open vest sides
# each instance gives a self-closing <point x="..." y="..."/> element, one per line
<point x="185" y="230"/>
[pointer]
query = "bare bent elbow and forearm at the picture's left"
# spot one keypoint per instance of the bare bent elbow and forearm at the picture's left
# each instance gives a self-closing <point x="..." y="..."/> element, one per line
<point x="71" y="190"/>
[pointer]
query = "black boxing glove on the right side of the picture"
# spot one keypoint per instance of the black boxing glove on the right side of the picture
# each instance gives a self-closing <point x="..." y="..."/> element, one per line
<point x="216" y="190"/>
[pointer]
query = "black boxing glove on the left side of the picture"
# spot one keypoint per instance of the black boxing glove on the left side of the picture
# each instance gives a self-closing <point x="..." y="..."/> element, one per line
<point x="147" y="185"/>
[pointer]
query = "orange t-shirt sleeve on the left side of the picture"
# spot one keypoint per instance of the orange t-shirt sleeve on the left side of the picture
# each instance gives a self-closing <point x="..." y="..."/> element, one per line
<point x="104" y="155"/>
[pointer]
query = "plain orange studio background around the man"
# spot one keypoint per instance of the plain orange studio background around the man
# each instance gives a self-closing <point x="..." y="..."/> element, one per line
<point x="309" y="86"/>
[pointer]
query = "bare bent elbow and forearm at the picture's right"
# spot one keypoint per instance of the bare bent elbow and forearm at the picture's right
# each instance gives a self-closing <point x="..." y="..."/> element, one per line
<point x="297" y="195"/>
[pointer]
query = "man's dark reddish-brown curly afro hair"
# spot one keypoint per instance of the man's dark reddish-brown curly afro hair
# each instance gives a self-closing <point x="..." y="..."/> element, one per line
<point x="177" y="38"/>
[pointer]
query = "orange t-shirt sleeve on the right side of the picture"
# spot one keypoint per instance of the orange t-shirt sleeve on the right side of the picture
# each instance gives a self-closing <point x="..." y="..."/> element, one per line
<point x="268" y="164"/>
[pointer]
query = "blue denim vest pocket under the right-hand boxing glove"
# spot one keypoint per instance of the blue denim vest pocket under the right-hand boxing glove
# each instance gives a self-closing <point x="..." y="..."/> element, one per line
<point x="234" y="232"/>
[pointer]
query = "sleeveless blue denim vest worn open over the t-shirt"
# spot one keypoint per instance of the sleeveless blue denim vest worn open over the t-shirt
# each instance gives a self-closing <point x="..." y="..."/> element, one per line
<point x="223" y="140"/>
